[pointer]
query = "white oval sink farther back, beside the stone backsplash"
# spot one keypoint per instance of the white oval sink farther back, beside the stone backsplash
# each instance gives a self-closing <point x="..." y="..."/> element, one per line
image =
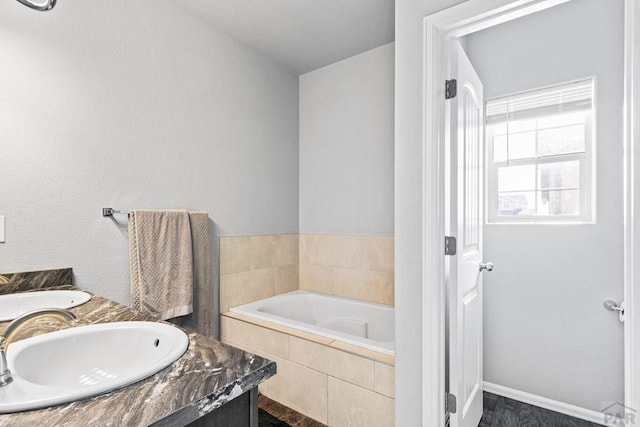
<point x="15" y="305"/>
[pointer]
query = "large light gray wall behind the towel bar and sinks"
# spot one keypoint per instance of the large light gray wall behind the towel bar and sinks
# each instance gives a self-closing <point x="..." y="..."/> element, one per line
<point x="135" y="105"/>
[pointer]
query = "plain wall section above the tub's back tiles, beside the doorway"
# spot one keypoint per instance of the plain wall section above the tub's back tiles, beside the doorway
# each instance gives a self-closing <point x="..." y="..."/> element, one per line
<point x="346" y="145"/>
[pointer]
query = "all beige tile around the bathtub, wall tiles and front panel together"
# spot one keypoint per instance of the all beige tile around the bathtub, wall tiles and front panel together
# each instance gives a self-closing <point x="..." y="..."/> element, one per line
<point x="333" y="382"/>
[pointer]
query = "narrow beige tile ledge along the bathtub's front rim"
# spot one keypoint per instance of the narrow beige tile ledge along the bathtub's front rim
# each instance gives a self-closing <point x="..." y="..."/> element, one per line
<point x="349" y="348"/>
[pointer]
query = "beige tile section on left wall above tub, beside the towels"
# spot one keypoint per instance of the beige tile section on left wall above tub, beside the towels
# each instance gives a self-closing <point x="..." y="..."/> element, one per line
<point x="257" y="267"/>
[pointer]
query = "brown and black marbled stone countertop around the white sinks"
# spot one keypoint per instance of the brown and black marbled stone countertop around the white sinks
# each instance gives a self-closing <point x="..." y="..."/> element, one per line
<point x="208" y="375"/>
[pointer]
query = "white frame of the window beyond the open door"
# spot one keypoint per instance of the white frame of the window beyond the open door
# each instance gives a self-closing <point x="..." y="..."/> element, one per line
<point x="587" y="183"/>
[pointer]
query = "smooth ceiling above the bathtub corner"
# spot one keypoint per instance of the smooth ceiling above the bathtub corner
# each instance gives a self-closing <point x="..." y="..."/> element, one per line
<point x="302" y="35"/>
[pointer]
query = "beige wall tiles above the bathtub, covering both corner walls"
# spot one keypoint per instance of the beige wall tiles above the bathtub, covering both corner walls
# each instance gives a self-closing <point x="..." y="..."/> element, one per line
<point x="352" y="266"/>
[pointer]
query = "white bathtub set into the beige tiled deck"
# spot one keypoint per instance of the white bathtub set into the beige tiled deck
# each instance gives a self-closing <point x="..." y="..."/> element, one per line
<point x="355" y="322"/>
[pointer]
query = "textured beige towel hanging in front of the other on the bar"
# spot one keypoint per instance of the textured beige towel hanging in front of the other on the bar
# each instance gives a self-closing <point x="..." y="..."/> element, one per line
<point x="161" y="256"/>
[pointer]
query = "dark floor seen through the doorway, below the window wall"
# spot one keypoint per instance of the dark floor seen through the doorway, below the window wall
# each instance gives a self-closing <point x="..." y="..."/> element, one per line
<point x="503" y="412"/>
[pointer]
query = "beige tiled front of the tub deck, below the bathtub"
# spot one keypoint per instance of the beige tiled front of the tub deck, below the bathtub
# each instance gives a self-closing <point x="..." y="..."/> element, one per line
<point x="331" y="385"/>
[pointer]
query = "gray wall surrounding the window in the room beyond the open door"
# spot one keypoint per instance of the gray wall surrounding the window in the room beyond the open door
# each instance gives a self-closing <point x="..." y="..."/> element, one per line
<point x="546" y="332"/>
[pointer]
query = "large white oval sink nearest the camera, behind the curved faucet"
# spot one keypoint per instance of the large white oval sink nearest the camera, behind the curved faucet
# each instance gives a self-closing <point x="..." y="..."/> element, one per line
<point x="85" y="361"/>
